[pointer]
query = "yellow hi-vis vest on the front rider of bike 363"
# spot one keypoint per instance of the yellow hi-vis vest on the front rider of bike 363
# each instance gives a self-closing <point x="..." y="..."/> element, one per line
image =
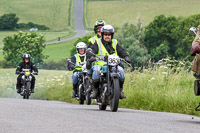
<point x="103" y="52"/>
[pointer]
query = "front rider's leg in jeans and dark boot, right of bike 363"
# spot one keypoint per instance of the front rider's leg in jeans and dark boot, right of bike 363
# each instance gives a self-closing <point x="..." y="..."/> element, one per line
<point x="122" y="78"/>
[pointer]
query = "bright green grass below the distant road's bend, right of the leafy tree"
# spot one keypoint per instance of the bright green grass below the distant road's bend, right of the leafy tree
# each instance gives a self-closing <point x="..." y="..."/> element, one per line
<point x="56" y="52"/>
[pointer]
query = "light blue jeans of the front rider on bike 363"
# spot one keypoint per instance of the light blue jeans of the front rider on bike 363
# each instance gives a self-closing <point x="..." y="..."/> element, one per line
<point x="96" y="70"/>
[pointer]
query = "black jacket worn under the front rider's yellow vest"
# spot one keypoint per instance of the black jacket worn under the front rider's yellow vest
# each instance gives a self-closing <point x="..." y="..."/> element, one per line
<point x="121" y="52"/>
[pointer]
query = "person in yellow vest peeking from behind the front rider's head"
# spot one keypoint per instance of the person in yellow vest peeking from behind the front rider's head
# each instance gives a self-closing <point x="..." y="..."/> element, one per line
<point x="97" y="29"/>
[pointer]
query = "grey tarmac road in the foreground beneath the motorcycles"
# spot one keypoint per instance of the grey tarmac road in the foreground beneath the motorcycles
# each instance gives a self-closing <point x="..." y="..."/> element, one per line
<point x="37" y="116"/>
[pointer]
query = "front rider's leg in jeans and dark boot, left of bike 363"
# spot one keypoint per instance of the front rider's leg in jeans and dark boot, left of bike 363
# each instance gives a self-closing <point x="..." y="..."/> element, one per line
<point x="95" y="80"/>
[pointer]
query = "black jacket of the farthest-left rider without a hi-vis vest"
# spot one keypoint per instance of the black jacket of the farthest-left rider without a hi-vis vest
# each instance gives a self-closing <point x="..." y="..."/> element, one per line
<point x="30" y="65"/>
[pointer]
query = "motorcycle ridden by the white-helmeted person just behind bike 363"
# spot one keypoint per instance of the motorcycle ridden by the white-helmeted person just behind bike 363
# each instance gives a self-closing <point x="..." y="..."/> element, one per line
<point x="84" y="88"/>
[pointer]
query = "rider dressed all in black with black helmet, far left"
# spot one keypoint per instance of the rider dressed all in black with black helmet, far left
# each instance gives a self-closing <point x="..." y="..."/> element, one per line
<point x="26" y="64"/>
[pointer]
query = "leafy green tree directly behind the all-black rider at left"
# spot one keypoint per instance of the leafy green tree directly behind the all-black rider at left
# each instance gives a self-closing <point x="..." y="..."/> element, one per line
<point x="21" y="43"/>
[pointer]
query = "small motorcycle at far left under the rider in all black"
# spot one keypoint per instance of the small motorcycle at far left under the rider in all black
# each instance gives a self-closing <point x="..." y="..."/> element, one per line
<point x="26" y="83"/>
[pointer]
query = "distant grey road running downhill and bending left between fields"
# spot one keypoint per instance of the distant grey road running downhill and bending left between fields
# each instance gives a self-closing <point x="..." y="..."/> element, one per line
<point x="78" y="22"/>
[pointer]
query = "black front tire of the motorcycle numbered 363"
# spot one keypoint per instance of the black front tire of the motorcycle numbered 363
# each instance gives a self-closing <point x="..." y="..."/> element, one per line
<point x="114" y="101"/>
